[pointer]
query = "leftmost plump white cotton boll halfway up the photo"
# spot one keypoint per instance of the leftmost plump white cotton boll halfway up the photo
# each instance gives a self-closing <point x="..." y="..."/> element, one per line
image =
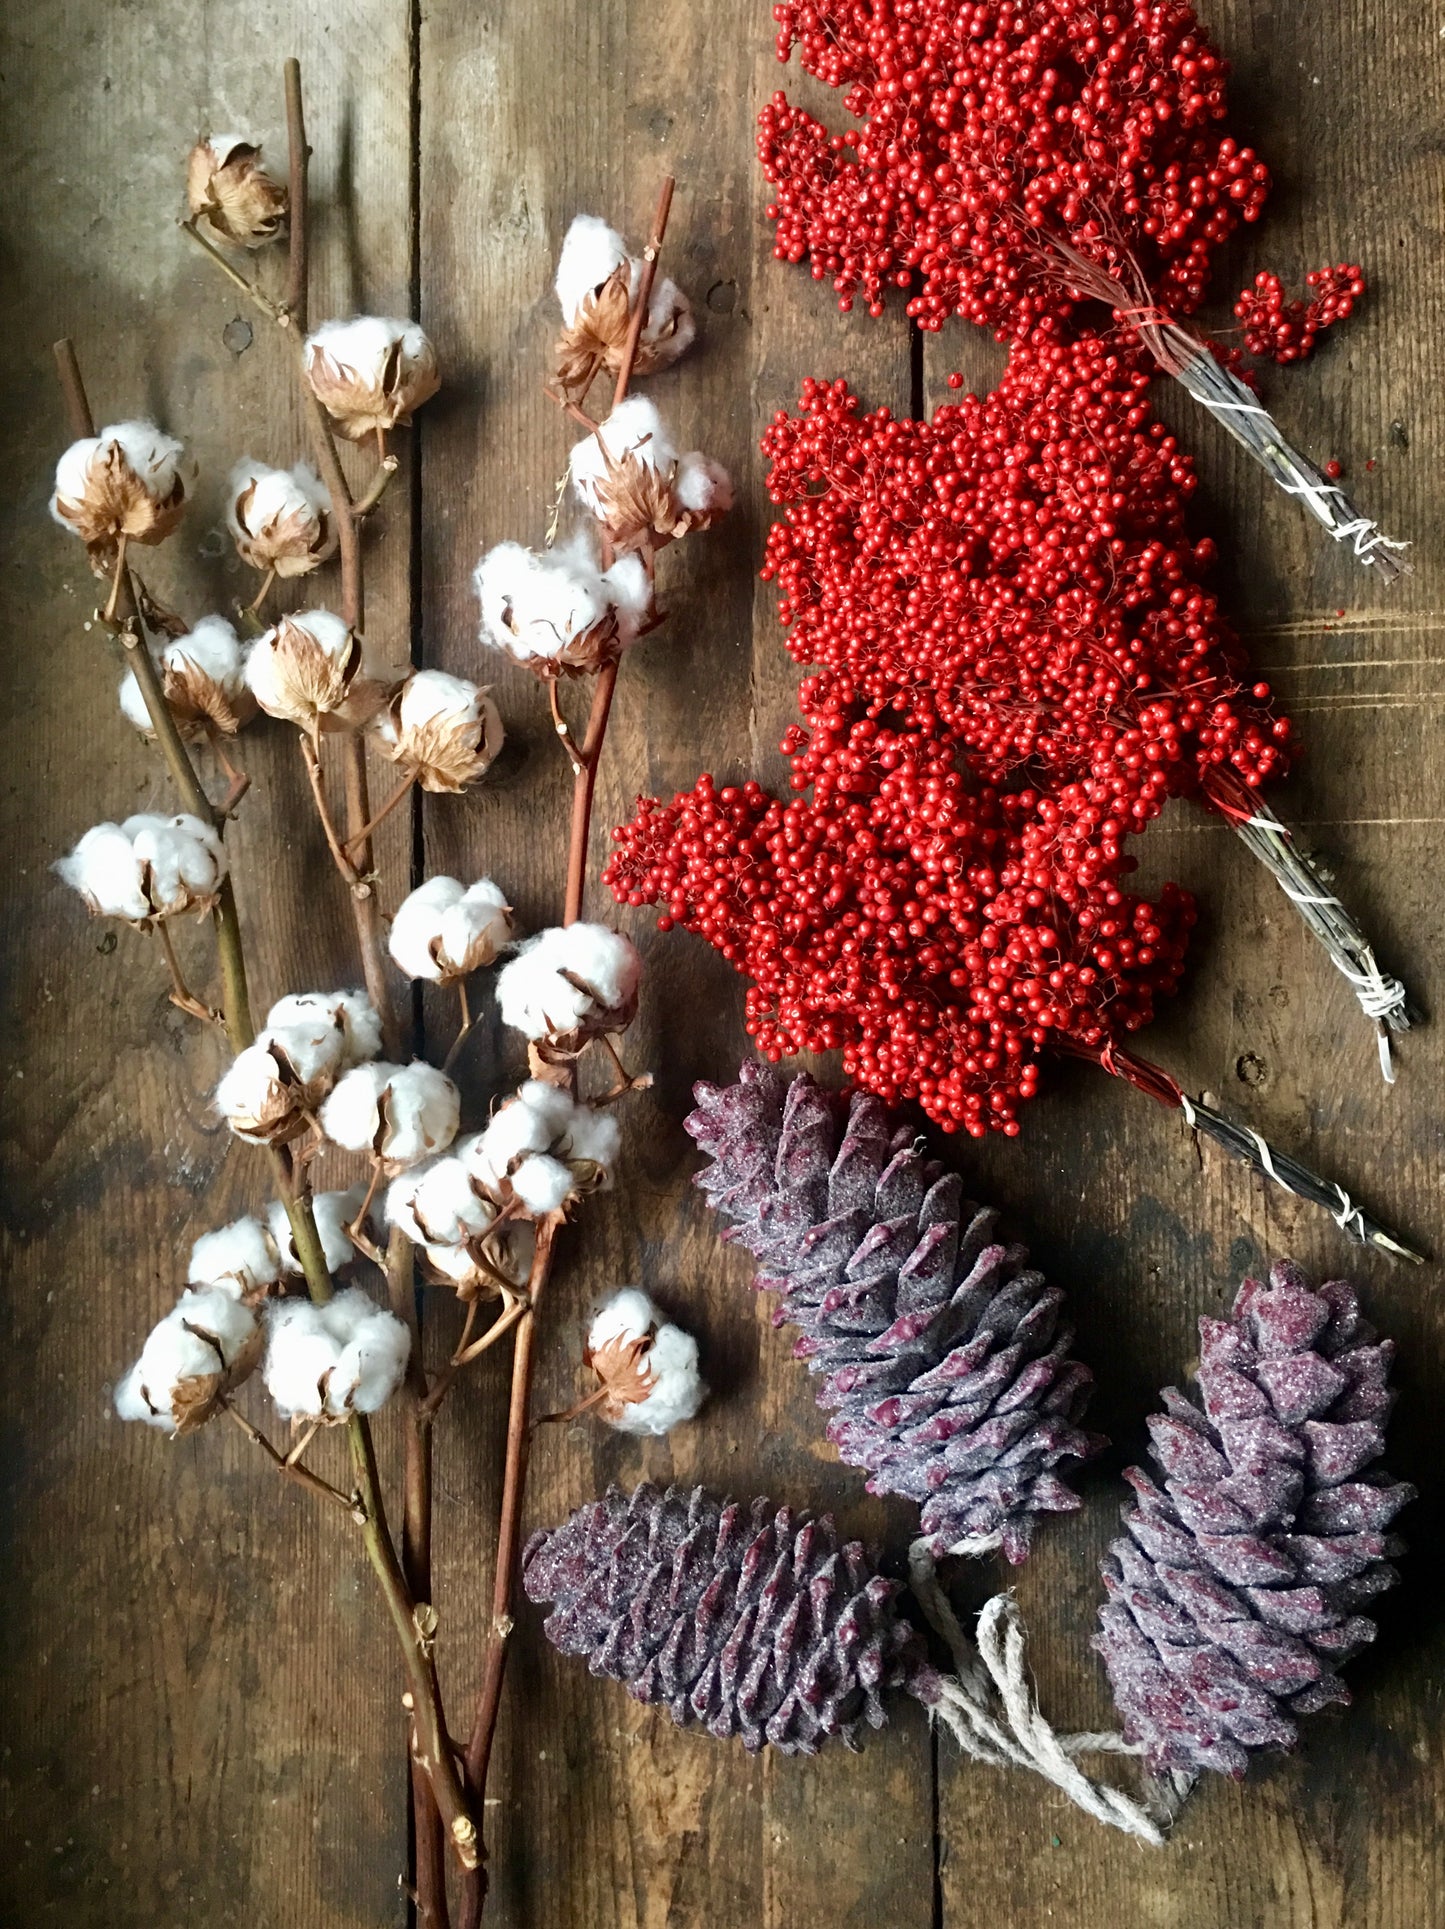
<point x="148" y="869"/>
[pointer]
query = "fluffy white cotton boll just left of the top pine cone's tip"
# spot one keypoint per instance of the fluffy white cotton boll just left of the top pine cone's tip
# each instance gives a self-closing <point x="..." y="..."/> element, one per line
<point x="543" y="1149"/>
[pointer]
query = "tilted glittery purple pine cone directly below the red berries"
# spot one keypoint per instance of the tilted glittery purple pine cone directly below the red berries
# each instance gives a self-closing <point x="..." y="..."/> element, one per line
<point x="944" y="1357"/>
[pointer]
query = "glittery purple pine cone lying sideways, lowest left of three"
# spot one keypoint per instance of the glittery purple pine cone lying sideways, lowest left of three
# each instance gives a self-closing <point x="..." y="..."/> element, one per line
<point x="746" y="1621"/>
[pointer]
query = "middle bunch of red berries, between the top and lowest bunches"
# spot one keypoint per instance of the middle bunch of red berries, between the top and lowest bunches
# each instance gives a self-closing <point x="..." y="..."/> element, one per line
<point x="1016" y="580"/>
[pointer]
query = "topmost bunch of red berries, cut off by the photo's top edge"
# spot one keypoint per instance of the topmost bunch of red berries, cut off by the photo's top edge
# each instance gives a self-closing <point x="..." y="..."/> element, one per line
<point x="995" y="130"/>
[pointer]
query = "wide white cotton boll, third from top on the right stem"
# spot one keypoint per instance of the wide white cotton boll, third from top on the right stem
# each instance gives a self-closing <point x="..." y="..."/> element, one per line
<point x="559" y="612"/>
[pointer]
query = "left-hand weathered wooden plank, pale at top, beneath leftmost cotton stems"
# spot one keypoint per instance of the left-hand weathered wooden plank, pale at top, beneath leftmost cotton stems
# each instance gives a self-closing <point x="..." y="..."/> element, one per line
<point x="192" y="1660"/>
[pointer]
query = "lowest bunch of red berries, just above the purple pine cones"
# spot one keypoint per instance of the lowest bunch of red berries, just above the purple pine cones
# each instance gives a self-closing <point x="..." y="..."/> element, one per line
<point x="902" y="923"/>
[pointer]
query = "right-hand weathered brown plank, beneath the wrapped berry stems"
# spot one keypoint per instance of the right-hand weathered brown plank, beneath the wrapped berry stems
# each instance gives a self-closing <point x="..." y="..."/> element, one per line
<point x="1141" y="1228"/>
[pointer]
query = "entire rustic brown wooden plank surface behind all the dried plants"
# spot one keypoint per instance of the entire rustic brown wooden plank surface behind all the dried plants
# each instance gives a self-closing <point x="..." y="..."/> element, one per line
<point x="200" y="1693"/>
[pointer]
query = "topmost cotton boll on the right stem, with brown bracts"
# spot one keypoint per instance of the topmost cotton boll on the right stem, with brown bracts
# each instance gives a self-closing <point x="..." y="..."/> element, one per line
<point x="597" y="285"/>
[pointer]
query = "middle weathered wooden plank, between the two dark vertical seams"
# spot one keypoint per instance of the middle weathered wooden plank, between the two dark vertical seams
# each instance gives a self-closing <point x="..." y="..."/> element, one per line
<point x="609" y="1814"/>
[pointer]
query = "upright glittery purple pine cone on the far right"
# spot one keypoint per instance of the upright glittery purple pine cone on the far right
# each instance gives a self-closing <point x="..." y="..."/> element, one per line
<point x="1236" y="1596"/>
